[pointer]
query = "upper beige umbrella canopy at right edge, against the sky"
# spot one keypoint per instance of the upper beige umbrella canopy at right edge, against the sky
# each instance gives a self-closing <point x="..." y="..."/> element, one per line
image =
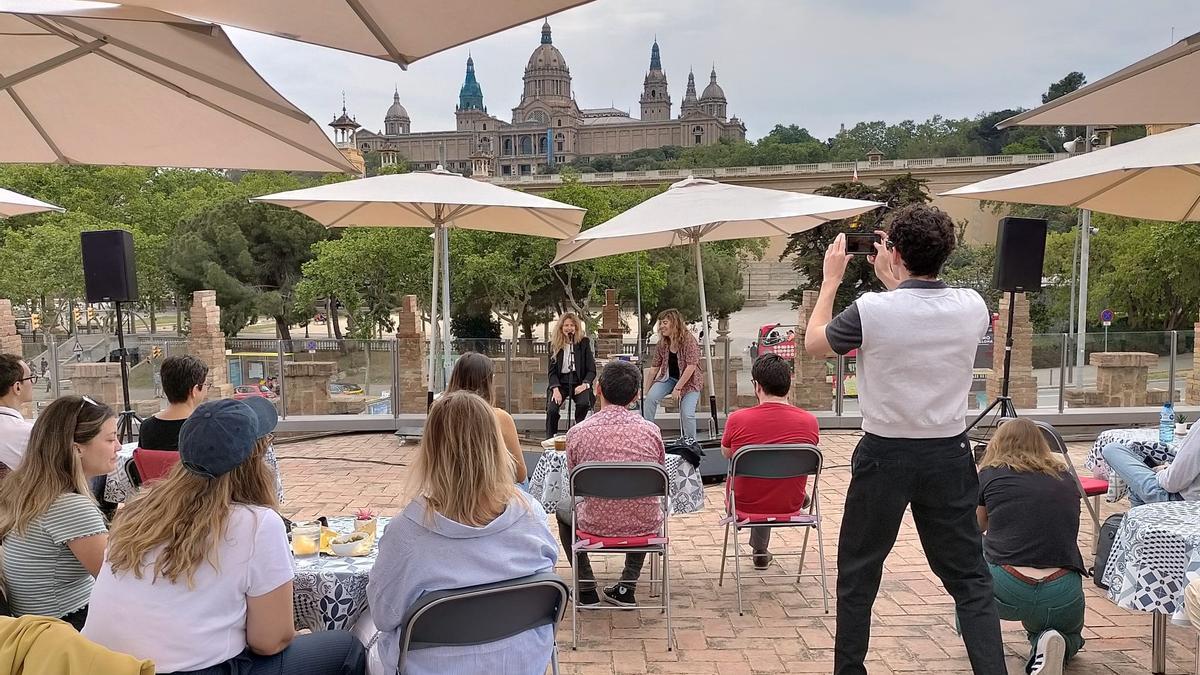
<point x="1159" y="89"/>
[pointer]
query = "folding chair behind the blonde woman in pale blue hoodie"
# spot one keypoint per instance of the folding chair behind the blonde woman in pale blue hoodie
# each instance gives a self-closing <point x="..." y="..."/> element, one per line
<point x="490" y="613"/>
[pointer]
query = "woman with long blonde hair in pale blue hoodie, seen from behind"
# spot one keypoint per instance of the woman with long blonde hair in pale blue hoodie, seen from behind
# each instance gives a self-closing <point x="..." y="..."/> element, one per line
<point x="467" y="525"/>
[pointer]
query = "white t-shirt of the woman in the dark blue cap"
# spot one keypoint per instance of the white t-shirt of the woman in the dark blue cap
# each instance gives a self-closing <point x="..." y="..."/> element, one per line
<point x="183" y="629"/>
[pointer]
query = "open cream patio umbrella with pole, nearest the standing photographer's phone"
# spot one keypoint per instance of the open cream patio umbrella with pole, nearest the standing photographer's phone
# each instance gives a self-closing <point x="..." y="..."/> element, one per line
<point x="697" y="211"/>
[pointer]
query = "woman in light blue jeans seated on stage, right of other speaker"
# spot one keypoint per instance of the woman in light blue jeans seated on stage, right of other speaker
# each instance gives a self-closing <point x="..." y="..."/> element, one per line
<point x="675" y="373"/>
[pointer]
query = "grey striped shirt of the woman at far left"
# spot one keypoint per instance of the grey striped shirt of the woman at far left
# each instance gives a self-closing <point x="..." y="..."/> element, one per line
<point x="41" y="575"/>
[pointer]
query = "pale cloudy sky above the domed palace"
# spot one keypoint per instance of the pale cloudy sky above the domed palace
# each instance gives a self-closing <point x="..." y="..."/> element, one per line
<point x="813" y="63"/>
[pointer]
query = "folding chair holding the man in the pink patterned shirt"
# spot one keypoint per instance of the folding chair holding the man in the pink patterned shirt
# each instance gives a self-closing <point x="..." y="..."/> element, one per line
<point x="622" y="481"/>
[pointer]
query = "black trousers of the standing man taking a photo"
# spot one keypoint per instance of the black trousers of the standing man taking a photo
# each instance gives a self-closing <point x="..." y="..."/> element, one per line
<point x="938" y="479"/>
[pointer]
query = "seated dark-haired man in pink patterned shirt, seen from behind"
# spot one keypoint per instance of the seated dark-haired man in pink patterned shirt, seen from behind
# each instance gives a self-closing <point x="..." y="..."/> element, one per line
<point x="614" y="434"/>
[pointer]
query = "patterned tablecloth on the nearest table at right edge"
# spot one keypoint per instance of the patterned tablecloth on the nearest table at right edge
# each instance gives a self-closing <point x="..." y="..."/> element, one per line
<point x="1156" y="553"/>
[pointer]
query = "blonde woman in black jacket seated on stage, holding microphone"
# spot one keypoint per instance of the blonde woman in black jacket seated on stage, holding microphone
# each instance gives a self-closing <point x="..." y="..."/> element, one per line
<point x="572" y="374"/>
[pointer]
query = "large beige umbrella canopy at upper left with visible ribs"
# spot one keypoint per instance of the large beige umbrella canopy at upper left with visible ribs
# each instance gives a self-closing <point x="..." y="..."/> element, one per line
<point x="101" y="85"/>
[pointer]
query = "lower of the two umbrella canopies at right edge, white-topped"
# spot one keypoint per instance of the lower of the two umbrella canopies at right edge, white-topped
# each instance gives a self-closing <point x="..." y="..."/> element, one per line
<point x="1156" y="178"/>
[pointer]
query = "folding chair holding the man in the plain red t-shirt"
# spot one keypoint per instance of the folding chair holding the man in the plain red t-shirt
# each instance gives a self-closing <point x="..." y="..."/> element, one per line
<point x="776" y="463"/>
